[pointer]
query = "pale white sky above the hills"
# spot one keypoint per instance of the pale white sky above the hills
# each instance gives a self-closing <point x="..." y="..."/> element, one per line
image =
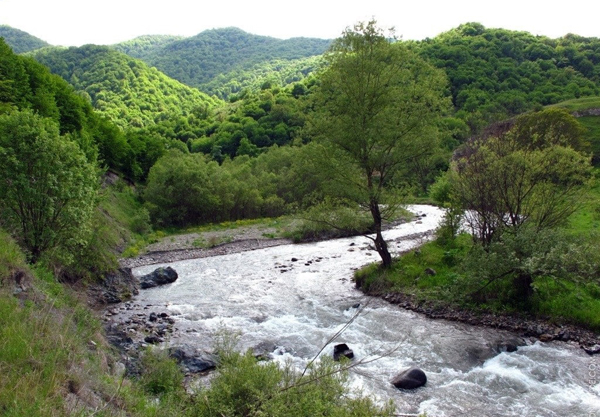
<point x="78" y="22"/>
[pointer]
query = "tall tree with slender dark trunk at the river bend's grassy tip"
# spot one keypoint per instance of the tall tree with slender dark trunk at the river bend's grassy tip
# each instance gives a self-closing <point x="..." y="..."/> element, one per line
<point x="378" y="104"/>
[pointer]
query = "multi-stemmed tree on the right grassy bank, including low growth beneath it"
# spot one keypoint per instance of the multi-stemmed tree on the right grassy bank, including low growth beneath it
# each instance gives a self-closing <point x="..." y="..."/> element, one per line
<point x="516" y="192"/>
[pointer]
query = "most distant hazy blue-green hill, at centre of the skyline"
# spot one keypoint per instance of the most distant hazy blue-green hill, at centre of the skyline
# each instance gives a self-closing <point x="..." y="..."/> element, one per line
<point x="199" y="60"/>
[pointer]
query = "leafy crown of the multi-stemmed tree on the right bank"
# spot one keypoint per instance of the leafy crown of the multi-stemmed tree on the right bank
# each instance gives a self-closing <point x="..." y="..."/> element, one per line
<point x="528" y="176"/>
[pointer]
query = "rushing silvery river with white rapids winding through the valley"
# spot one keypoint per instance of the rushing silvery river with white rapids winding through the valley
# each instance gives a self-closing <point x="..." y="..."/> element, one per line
<point x="293" y="307"/>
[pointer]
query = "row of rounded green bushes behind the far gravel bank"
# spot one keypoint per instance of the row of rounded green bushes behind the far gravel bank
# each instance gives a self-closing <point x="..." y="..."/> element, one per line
<point x="186" y="190"/>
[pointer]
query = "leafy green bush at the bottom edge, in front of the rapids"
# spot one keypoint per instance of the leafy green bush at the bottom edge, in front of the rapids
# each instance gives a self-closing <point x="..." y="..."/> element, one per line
<point x="244" y="387"/>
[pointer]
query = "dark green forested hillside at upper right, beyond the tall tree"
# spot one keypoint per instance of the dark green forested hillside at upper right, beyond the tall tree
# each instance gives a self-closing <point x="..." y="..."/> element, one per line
<point x="498" y="73"/>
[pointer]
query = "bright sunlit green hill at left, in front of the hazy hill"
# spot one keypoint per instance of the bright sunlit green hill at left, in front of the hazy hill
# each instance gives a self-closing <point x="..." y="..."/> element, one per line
<point x="122" y="88"/>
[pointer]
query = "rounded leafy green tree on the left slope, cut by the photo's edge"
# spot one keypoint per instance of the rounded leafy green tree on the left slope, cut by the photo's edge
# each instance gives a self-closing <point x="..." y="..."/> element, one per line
<point x="48" y="187"/>
